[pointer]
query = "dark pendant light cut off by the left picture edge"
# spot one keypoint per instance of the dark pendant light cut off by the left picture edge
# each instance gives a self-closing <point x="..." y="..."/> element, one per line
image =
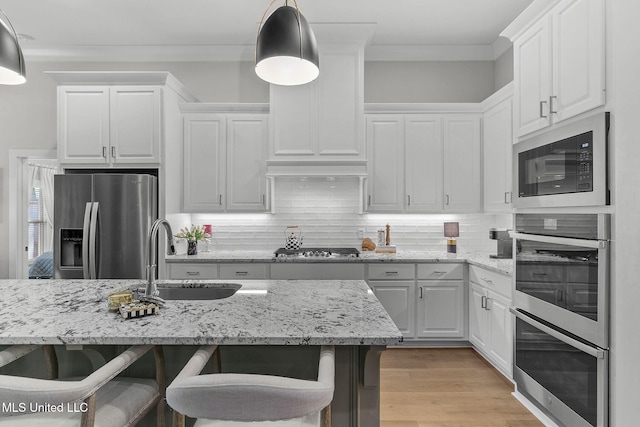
<point x="12" y="70"/>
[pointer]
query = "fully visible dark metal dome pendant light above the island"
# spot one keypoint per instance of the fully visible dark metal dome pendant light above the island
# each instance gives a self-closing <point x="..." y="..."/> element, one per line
<point x="286" y="49"/>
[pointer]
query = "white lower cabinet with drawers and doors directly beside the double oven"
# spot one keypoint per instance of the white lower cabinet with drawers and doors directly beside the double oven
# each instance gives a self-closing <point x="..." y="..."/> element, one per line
<point x="490" y="322"/>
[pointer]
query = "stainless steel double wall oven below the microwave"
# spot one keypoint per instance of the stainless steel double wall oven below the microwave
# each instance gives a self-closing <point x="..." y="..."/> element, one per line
<point x="561" y="308"/>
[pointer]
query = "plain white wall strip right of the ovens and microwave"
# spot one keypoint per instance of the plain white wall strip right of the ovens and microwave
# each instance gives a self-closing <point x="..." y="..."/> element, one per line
<point x="624" y="100"/>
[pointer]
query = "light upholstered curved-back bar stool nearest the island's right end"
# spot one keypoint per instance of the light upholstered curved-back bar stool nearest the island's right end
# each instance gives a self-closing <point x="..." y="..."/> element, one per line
<point x="236" y="400"/>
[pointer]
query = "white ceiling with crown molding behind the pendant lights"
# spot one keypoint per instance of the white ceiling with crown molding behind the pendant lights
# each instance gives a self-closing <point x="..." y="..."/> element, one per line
<point x="215" y="30"/>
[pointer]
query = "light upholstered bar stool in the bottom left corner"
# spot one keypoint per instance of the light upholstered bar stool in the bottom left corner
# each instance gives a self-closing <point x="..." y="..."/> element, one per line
<point x="99" y="399"/>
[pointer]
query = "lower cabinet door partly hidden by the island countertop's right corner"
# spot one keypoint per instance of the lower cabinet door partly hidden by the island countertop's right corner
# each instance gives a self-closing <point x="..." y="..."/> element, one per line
<point x="398" y="298"/>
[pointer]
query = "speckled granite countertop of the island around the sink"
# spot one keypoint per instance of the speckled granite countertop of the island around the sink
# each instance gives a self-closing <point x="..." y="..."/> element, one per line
<point x="262" y="312"/>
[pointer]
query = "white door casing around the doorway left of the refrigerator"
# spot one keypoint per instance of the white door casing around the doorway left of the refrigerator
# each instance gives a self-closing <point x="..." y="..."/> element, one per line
<point x="16" y="209"/>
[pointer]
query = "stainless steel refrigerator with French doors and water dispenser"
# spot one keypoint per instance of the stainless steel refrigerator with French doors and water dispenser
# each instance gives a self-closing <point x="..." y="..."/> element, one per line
<point x="101" y="224"/>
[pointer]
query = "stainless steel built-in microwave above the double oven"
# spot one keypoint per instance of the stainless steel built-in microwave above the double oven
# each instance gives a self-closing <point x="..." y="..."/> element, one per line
<point x="565" y="166"/>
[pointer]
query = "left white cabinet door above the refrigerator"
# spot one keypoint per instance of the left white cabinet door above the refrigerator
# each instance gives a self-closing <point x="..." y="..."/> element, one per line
<point x="83" y="124"/>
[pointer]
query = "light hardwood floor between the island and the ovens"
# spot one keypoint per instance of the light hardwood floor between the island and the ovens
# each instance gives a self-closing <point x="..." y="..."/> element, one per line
<point x="446" y="388"/>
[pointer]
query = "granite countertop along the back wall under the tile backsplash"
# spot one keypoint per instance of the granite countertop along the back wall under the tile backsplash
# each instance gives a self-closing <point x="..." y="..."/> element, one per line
<point x="503" y="266"/>
